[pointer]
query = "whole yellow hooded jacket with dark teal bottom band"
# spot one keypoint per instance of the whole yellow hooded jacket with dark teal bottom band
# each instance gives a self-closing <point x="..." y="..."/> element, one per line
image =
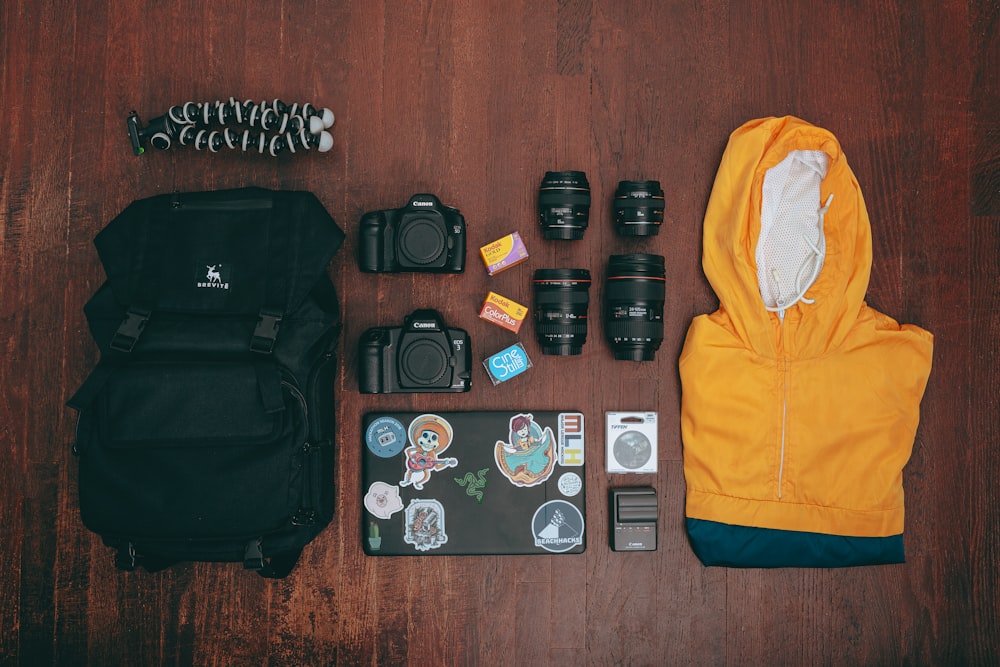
<point x="800" y="403"/>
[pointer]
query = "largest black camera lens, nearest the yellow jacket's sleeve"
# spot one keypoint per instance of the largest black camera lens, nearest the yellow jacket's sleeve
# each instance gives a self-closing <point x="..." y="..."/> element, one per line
<point x="633" y="313"/>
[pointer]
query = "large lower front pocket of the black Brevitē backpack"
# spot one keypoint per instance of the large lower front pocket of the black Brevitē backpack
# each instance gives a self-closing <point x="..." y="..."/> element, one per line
<point x="165" y="445"/>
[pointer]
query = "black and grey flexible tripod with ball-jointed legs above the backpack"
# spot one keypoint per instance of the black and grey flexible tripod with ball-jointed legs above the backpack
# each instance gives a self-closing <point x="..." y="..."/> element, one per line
<point x="268" y="127"/>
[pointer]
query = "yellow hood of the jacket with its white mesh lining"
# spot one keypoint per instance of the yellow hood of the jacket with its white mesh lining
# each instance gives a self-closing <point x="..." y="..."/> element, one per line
<point x="778" y="247"/>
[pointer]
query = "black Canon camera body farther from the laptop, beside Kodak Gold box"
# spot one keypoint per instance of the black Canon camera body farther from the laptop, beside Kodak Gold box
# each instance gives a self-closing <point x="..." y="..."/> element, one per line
<point x="425" y="236"/>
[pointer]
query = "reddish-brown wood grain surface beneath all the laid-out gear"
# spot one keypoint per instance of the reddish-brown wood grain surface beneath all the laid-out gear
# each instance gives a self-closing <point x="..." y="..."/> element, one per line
<point x="474" y="101"/>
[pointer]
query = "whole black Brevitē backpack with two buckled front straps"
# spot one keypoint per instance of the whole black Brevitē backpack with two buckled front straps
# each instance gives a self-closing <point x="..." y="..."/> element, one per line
<point x="206" y="431"/>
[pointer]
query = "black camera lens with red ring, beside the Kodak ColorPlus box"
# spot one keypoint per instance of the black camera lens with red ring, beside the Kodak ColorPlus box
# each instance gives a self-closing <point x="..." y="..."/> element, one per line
<point x="561" y="299"/>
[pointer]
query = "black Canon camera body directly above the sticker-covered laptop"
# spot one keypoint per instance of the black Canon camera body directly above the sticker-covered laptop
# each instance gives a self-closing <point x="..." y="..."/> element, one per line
<point x="422" y="356"/>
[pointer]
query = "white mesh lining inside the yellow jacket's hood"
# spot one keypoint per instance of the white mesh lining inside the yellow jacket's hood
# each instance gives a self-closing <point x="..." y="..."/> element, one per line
<point x="791" y="220"/>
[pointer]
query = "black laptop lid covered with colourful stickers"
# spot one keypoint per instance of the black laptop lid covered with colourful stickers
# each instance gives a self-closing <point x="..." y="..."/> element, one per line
<point x="468" y="483"/>
